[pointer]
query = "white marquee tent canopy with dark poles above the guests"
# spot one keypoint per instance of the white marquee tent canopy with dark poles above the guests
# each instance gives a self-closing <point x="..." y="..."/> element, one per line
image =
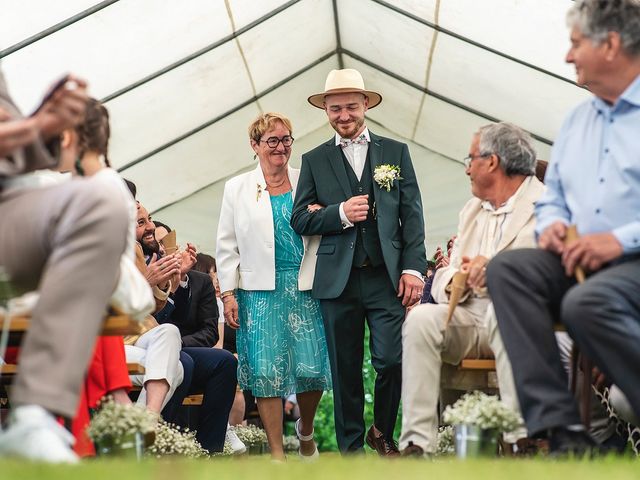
<point x="183" y="78"/>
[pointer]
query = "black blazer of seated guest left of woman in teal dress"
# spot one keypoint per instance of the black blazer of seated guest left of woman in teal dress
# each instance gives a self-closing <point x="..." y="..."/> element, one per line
<point x="196" y="312"/>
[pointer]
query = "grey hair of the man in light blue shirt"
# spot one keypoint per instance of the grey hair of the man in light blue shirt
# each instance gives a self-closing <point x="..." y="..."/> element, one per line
<point x="596" y="18"/>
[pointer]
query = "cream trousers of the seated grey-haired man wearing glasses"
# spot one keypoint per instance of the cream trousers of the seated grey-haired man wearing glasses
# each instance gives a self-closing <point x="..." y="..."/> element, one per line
<point x="472" y="333"/>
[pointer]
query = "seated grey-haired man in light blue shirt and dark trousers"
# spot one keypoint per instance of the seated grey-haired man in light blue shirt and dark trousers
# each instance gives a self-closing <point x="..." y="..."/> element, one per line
<point x="593" y="182"/>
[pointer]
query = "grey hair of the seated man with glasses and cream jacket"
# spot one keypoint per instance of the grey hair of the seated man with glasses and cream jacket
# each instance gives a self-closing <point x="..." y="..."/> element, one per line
<point x="512" y="145"/>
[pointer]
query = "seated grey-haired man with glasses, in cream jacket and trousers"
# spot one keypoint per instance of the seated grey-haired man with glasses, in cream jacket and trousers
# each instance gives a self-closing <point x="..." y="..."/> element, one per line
<point x="501" y="167"/>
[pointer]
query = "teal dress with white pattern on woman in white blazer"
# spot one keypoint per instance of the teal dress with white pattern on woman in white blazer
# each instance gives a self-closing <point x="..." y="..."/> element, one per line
<point x="281" y="343"/>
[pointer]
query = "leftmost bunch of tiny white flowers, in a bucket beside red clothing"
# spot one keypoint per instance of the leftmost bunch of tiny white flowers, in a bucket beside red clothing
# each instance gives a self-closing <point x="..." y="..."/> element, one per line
<point x="115" y="422"/>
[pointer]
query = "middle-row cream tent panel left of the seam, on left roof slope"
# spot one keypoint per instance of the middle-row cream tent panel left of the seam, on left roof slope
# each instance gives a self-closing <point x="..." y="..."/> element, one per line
<point x="148" y="117"/>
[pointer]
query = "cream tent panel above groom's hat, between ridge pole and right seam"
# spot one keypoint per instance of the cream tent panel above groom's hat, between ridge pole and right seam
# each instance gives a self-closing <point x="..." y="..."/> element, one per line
<point x="405" y="52"/>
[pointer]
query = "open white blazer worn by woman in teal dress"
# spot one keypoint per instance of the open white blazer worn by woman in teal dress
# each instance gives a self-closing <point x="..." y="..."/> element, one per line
<point x="245" y="250"/>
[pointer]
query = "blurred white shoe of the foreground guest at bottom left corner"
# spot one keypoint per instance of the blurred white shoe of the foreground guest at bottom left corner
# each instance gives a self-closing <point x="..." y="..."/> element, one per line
<point x="34" y="434"/>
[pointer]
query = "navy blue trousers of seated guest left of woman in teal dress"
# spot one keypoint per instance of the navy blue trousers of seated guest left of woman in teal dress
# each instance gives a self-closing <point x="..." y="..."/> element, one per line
<point x="211" y="371"/>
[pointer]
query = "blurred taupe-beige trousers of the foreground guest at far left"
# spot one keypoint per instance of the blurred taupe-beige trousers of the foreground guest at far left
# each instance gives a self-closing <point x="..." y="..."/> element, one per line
<point x="66" y="241"/>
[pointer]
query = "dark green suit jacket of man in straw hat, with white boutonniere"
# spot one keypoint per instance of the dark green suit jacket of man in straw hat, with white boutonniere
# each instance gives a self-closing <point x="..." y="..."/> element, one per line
<point x="323" y="180"/>
